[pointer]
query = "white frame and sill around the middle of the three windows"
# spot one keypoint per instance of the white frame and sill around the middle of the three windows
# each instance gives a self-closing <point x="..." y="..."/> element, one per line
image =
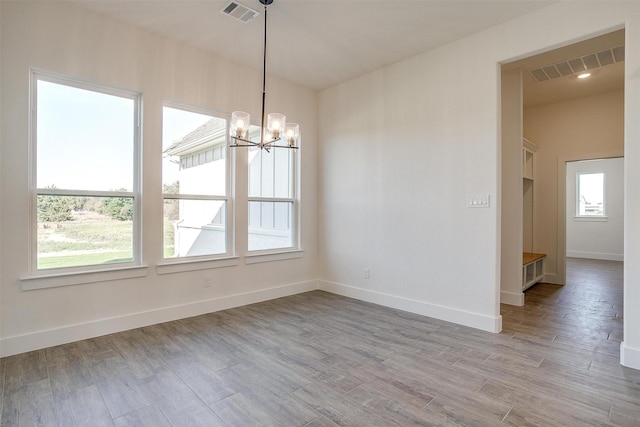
<point x="228" y="258"/>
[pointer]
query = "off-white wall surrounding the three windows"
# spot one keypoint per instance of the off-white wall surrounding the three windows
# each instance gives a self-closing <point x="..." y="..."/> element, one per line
<point x="58" y="37"/>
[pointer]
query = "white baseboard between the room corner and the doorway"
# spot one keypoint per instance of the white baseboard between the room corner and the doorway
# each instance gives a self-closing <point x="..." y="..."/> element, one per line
<point x="474" y="320"/>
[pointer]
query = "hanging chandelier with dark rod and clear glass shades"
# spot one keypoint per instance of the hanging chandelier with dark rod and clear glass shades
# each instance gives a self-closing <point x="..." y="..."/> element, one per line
<point x="275" y="132"/>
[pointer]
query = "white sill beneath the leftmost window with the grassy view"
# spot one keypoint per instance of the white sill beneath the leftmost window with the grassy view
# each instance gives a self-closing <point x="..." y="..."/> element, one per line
<point x="53" y="280"/>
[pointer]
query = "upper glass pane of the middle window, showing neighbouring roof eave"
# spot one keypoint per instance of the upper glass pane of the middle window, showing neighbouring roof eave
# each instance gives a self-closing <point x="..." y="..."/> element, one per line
<point x="188" y="142"/>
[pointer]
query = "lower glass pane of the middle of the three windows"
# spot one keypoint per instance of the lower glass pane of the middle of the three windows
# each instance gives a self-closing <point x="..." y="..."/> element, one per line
<point x="194" y="227"/>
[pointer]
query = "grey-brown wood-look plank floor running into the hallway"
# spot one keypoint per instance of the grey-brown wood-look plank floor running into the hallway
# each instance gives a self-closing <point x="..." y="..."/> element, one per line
<point x="318" y="359"/>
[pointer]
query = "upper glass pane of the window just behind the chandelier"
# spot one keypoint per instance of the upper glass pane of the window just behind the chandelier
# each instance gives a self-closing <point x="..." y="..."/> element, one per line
<point x="270" y="173"/>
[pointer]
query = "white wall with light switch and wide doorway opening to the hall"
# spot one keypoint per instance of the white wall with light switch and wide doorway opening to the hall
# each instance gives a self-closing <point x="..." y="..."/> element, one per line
<point x="402" y="148"/>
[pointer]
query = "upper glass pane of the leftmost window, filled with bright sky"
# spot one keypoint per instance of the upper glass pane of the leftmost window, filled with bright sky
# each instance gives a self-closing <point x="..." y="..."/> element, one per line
<point x="85" y="139"/>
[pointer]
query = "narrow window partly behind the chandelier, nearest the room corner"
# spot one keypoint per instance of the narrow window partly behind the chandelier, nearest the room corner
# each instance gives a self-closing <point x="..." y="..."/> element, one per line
<point x="272" y="206"/>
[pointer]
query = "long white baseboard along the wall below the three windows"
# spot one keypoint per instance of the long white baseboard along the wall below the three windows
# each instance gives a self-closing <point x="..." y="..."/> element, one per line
<point x="62" y="335"/>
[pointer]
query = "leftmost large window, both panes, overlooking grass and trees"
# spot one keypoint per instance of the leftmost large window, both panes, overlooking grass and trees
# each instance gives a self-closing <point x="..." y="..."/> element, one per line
<point x="86" y="151"/>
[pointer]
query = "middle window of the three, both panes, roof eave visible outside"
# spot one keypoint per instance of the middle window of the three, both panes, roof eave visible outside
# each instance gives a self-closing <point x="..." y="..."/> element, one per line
<point x="194" y="184"/>
